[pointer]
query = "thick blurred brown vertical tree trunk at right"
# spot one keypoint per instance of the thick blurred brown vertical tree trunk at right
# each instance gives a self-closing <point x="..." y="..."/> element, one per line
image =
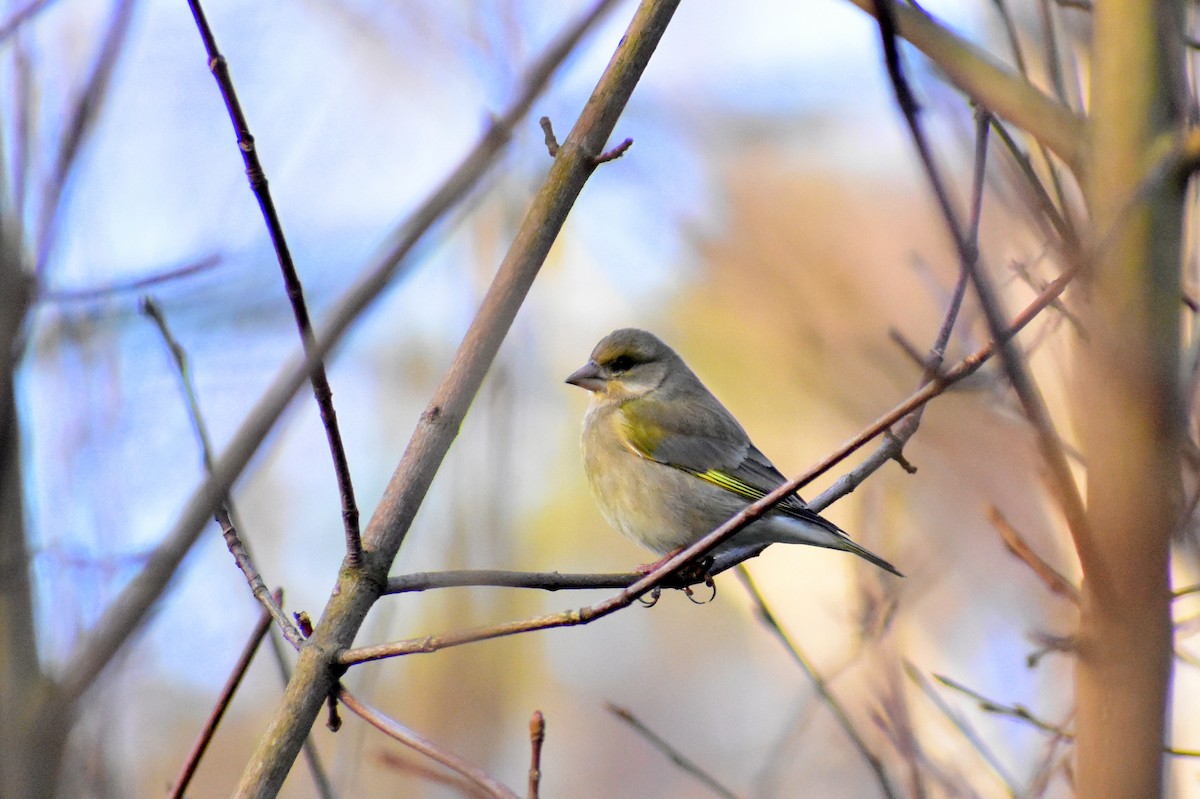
<point x="1129" y="405"/>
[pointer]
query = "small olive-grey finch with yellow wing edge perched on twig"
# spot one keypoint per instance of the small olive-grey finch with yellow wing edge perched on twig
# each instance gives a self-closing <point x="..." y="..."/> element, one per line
<point x="668" y="462"/>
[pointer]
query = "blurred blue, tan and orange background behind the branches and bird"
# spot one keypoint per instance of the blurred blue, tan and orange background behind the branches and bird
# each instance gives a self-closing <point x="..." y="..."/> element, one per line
<point x="770" y="223"/>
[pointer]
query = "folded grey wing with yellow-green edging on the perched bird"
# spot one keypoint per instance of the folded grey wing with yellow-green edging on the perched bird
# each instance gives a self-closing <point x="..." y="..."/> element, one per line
<point x="706" y="441"/>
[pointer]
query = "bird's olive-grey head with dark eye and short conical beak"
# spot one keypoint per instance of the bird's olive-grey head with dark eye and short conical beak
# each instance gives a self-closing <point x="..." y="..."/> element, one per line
<point x="626" y="365"/>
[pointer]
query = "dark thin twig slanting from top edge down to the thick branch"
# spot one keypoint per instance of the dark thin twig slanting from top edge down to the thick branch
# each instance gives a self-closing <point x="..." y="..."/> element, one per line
<point x="321" y="391"/>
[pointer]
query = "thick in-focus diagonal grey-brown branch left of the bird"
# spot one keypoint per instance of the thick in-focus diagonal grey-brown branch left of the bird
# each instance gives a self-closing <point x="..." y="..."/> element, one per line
<point x="358" y="590"/>
